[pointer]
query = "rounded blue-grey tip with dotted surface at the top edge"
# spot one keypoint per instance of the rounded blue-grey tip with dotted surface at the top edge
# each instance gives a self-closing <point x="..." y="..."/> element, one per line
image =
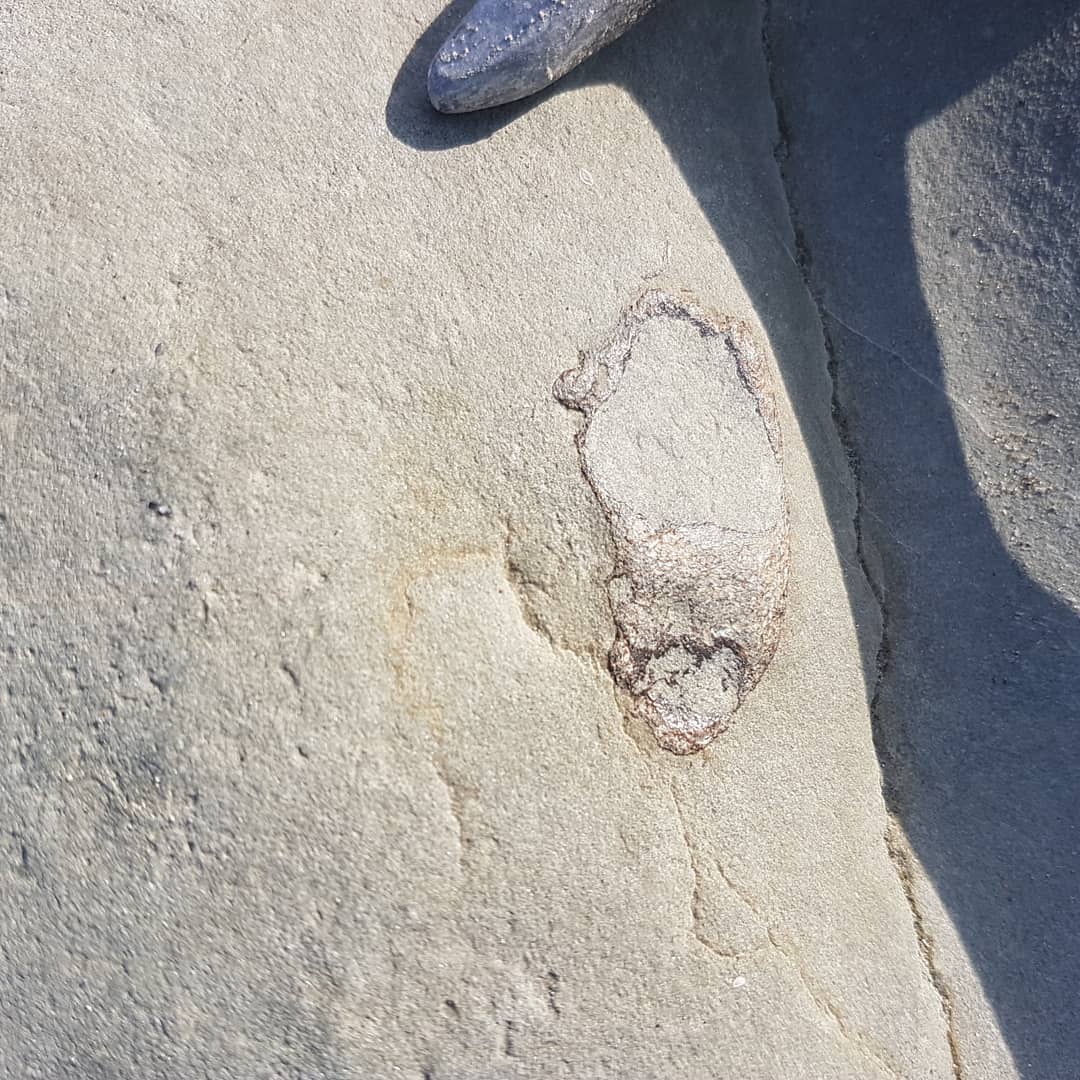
<point x="506" y="50"/>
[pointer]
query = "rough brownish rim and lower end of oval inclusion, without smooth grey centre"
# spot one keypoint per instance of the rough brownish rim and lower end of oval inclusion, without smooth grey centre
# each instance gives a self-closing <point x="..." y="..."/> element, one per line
<point x="698" y="606"/>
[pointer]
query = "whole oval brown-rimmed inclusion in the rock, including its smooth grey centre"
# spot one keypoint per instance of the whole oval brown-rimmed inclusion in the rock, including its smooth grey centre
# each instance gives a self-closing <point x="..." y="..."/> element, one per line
<point x="682" y="448"/>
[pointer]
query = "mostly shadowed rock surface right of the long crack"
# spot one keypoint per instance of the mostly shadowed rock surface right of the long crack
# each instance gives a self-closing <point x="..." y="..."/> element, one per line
<point x="944" y="254"/>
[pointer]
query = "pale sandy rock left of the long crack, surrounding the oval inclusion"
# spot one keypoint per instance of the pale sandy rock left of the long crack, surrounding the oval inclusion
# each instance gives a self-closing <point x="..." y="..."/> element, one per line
<point x="313" y="766"/>
